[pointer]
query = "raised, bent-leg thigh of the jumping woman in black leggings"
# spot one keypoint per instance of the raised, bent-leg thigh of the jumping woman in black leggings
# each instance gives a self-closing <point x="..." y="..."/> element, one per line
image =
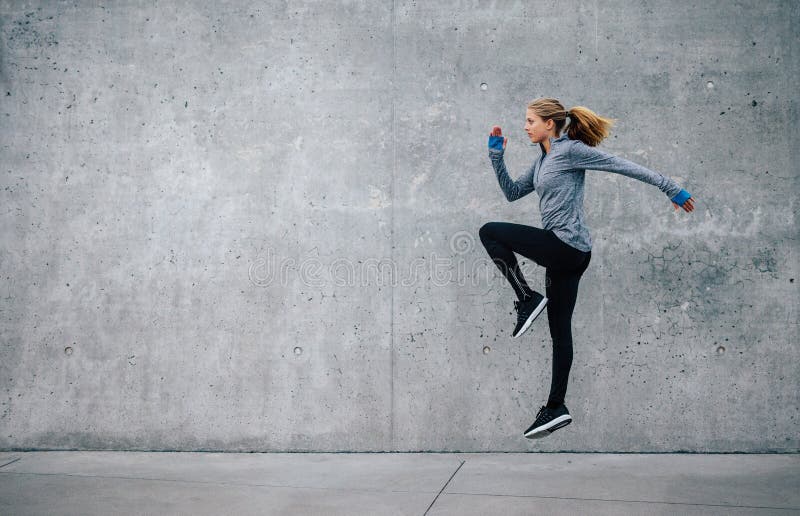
<point x="531" y="242"/>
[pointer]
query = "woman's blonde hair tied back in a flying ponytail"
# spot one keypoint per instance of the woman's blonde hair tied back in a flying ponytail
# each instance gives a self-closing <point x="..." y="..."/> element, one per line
<point x="584" y="125"/>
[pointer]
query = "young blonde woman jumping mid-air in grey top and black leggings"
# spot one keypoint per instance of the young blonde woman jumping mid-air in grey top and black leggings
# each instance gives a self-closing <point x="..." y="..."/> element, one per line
<point x="563" y="246"/>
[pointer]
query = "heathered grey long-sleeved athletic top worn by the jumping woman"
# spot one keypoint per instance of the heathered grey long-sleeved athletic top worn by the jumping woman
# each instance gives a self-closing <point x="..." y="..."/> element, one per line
<point x="558" y="177"/>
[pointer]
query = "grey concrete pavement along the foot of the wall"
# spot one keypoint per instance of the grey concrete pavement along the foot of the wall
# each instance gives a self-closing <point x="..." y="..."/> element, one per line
<point x="106" y="482"/>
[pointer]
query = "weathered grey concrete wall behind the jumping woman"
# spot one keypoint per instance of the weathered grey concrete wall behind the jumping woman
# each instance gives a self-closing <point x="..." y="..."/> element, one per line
<point x="234" y="226"/>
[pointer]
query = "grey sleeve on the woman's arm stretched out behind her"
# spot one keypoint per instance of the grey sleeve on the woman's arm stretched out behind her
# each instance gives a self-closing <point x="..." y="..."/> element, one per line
<point x="582" y="156"/>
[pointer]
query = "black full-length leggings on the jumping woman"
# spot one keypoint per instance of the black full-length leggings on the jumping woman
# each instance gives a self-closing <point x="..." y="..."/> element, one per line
<point x="564" y="266"/>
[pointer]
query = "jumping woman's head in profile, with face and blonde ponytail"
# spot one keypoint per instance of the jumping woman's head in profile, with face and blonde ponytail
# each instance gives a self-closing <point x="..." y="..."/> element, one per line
<point x="546" y="117"/>
